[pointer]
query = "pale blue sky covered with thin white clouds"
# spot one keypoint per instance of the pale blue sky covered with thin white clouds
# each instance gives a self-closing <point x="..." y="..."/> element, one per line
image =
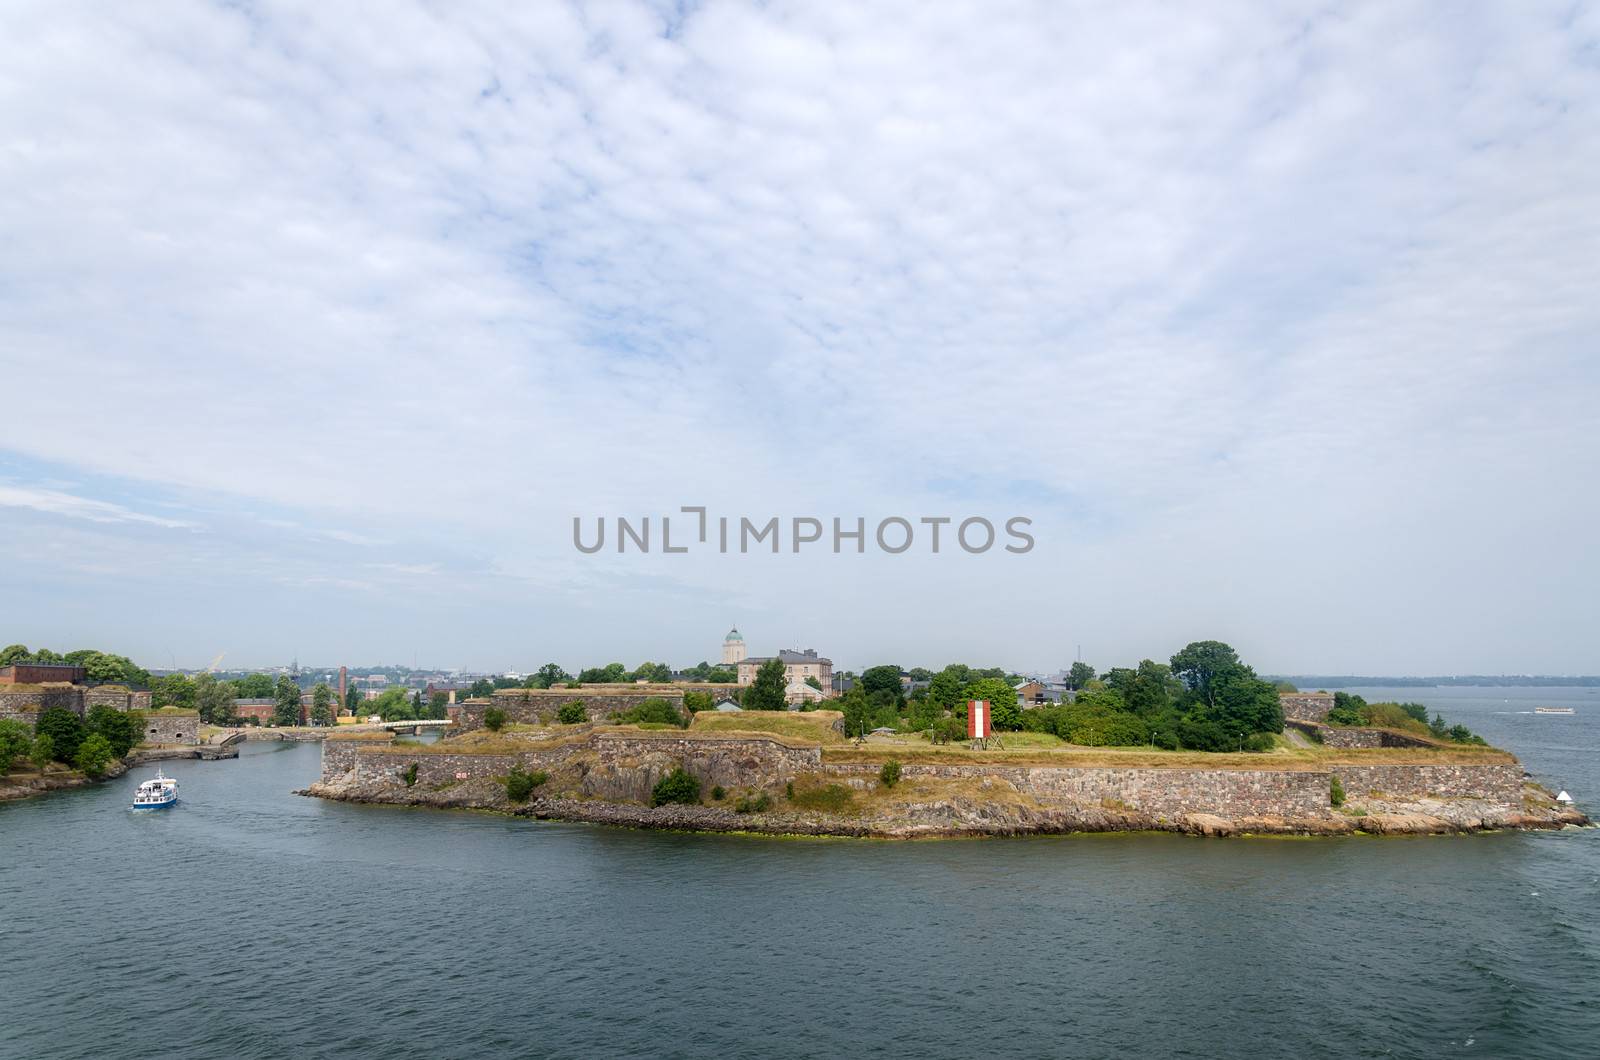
<point x="321" y="326"/>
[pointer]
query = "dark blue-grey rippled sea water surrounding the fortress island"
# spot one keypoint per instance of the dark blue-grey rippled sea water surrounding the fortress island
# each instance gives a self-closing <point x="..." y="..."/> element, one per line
<point x="250" y="923"/>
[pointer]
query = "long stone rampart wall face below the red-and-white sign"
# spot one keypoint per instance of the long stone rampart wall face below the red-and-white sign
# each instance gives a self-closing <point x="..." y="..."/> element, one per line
<point x="1158" y="792"/>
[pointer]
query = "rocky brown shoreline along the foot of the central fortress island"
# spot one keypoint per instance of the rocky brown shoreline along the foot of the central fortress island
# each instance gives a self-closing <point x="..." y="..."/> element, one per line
<point x="958" y="816"/>
